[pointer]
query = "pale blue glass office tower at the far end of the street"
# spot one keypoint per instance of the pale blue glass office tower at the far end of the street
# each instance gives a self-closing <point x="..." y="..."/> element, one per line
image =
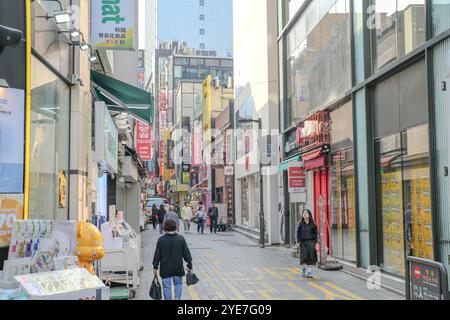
<point x="202" y="24"/>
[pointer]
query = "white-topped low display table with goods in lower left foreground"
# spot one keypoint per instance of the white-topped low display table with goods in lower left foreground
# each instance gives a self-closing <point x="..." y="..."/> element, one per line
<point x="71" y="284"/>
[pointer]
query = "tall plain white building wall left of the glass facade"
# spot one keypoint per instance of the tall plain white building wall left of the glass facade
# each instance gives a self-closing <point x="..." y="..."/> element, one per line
<point x="256" y="77"/>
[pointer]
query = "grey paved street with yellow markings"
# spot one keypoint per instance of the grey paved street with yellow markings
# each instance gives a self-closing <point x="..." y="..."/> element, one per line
<point x="232" y="267"/>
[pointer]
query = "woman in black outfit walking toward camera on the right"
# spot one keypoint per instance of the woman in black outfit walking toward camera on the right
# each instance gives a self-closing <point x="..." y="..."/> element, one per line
<point x="307" y="240"/>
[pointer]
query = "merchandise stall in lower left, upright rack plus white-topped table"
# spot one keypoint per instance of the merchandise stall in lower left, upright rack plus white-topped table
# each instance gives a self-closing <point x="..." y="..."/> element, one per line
<point x="42" y="263"/>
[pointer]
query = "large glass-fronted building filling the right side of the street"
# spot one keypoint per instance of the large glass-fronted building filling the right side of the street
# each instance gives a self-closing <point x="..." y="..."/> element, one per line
<point x="377" y="69"/>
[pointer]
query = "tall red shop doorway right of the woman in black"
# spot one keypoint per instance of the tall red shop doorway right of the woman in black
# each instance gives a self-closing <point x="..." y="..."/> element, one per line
<point x="321" y="187"/>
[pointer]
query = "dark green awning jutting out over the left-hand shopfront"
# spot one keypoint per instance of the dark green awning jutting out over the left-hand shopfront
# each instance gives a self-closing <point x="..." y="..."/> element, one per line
<point x="122" y="97"/>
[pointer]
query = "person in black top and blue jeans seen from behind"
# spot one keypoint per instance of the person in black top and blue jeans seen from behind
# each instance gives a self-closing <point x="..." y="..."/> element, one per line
<point x="170" y="252"/>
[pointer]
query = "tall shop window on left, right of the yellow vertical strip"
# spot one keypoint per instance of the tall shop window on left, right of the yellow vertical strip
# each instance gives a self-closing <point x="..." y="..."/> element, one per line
<point x="49" y="142"/>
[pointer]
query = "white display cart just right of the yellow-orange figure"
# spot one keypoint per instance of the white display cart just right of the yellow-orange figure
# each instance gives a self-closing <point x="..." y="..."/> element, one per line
<point x="121" y="242"/>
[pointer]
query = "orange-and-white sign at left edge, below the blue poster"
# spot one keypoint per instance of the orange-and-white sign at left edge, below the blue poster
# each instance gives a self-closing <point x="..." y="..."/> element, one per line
<point x="11" y="209"/>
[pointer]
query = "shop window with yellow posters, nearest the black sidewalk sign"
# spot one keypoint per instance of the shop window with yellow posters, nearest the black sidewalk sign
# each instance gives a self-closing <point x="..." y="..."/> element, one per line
<point x="404" y="198"/>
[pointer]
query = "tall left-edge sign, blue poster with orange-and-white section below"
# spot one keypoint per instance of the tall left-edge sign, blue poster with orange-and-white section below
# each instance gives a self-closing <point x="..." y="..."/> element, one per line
<point x="12" y="113"/>
